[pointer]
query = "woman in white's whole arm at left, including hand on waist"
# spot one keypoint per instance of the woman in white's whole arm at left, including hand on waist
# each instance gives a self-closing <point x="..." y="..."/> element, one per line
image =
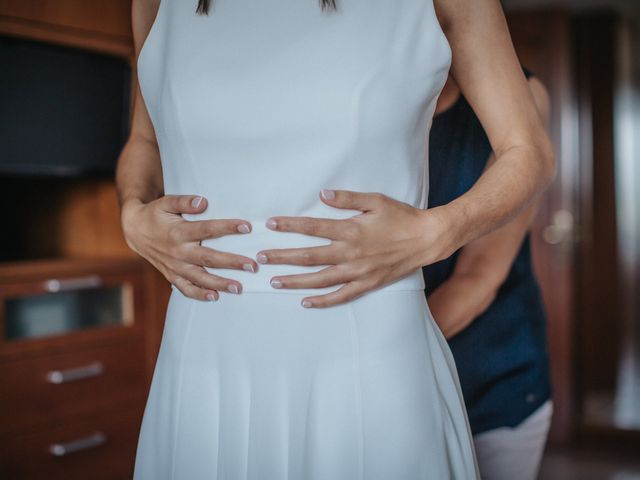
<point x="152" y="221"/>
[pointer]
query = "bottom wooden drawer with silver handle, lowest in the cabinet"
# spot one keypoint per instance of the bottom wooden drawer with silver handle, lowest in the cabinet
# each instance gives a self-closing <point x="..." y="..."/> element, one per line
<point x="101" y="447"/>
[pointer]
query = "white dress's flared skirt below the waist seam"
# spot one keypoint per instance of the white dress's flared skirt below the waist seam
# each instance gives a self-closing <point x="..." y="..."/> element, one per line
<point x="257" y="387"/>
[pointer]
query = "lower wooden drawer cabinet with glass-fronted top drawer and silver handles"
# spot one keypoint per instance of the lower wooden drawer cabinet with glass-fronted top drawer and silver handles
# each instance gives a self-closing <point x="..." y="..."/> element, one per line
<point x="76" y="356"/>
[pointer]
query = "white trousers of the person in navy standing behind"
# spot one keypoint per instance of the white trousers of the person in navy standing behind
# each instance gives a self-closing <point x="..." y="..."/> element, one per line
<point x="514" y="453"/>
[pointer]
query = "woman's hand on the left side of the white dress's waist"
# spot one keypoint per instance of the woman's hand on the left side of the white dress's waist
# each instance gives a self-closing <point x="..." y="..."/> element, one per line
<point x="157" y="232"/>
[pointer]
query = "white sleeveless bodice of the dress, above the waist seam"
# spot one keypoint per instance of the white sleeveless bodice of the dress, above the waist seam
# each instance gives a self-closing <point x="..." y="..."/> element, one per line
<point x="260" y="104"/>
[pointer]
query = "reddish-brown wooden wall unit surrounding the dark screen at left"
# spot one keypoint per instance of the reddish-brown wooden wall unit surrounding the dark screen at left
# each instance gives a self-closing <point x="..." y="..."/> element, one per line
<point x="78" y="336"/>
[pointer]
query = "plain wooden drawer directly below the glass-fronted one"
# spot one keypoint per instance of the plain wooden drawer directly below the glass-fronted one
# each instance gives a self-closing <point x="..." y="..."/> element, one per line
<point x="45" y="389"/>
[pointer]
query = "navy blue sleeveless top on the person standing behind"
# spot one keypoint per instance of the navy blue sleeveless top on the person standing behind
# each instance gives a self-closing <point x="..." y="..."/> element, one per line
<point x="501" y="356"/>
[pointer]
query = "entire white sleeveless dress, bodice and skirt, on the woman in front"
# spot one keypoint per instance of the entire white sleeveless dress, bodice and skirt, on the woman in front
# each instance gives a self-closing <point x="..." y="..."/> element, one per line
<point x="258" y="106"/>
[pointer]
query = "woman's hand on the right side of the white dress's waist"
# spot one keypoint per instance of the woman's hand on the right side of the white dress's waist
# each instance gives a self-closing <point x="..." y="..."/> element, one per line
<point x="387" y="241"/>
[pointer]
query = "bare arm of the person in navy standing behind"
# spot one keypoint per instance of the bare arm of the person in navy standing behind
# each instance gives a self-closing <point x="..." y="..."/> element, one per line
<point x="483" y="265"/>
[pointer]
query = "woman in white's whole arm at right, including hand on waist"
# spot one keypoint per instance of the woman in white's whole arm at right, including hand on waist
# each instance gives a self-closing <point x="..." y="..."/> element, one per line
<point x="392" y="239"/>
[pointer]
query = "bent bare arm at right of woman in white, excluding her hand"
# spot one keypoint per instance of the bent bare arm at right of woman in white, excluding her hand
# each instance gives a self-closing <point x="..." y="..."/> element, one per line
<point x="486" y="68"/>
